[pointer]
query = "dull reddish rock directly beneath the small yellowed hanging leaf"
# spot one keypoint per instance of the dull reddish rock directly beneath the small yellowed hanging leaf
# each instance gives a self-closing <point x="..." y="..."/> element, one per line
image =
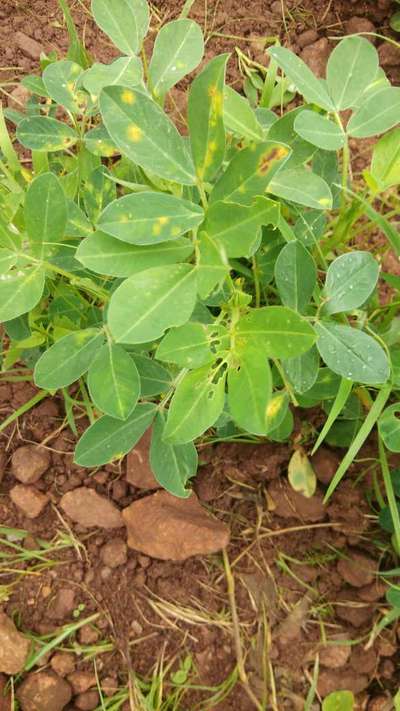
<point x="290" y="504"/>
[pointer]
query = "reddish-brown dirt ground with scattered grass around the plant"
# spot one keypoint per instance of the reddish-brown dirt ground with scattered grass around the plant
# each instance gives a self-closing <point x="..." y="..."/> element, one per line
<point x="305" y="576"/>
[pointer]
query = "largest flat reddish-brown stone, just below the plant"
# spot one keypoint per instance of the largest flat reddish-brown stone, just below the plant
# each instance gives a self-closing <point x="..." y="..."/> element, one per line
<point x="164" y="526"/>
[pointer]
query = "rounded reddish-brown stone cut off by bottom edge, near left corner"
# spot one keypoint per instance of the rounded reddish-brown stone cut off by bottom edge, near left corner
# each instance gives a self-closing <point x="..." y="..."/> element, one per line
<point x="44" y="691"/>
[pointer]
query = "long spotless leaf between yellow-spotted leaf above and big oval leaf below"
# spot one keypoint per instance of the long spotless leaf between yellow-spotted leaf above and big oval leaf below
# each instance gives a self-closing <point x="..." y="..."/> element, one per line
<point x="106" y="255"/>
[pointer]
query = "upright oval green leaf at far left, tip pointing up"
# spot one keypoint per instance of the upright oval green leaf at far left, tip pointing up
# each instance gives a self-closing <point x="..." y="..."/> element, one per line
<point x="45" y="212"/>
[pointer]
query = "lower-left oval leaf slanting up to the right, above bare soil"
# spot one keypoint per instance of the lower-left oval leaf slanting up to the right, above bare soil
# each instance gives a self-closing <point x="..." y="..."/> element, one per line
<point x="67" y="359"/>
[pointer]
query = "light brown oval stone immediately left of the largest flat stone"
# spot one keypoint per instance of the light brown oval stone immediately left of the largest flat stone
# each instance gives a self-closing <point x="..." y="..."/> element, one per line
<point x="86" y="507"/>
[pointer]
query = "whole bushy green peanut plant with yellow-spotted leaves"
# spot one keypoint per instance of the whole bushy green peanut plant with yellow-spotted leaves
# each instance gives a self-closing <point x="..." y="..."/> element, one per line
<point x="202" y="278"/>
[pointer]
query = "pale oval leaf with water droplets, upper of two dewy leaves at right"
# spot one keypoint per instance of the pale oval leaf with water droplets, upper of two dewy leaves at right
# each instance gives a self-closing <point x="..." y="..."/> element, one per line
<point x="350" y="280"/>
